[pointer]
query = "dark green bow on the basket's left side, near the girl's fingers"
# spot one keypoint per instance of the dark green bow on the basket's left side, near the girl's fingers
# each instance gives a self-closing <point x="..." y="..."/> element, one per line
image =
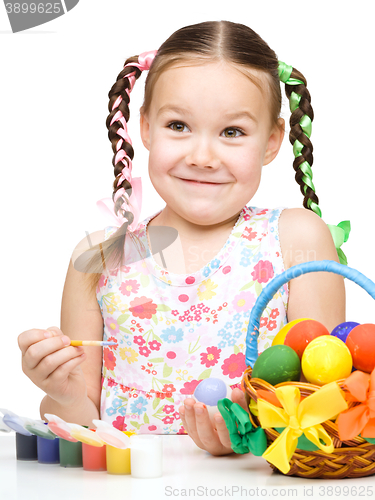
<point x="244" y="437"/>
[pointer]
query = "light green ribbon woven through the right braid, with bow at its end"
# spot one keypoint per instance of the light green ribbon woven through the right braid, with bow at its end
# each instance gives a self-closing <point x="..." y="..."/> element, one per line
<point x="340" y="233"/>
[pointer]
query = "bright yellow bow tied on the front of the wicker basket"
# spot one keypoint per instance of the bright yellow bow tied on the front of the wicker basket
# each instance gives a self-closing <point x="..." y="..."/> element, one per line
<point x="299" y="418"/>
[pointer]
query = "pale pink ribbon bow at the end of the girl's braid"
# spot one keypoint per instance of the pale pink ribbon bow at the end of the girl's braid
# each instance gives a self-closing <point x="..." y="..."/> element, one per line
<point x="107" y="206"/>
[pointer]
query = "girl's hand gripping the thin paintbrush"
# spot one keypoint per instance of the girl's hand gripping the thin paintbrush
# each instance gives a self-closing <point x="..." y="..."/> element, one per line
<point x="53" y="365"/>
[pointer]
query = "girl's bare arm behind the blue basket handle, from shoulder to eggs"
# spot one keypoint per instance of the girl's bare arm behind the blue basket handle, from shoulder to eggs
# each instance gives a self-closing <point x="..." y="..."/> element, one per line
<point x="305" y="237"/>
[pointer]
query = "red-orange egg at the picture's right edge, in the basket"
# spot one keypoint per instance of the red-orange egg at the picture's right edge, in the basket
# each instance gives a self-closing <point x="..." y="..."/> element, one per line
<point x="361" y="344"/>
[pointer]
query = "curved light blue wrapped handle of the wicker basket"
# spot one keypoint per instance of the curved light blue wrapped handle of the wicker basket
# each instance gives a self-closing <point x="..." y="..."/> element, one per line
<point x="294" y="272"/>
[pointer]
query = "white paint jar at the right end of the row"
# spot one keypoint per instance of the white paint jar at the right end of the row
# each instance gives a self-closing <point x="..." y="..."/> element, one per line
<point x="146" y="456"/>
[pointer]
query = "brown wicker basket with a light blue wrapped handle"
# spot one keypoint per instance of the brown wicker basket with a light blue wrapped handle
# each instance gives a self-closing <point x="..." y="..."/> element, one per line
<point x="355" y="458"/>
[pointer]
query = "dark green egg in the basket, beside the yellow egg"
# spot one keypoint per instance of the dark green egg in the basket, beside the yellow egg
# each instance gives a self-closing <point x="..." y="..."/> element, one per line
<point x="278" y="363"/>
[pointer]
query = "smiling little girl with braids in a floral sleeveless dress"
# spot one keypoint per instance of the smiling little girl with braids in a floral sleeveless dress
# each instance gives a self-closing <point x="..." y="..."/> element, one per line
<point x="175" y="291"/>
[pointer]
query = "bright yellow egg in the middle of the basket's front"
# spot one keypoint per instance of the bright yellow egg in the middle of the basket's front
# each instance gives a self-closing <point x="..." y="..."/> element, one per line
<point x="325" y="360"/>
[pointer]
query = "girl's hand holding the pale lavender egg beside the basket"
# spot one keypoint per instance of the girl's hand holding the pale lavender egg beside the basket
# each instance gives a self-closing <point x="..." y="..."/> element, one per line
<point x="200" y="428"/>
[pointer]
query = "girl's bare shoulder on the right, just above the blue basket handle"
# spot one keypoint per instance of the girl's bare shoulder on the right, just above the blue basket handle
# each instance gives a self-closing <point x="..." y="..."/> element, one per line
<point x="304" y="236"/>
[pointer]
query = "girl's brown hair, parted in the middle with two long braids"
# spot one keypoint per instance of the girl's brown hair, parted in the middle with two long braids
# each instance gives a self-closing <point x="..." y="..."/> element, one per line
<point x="191" y="45"/>
